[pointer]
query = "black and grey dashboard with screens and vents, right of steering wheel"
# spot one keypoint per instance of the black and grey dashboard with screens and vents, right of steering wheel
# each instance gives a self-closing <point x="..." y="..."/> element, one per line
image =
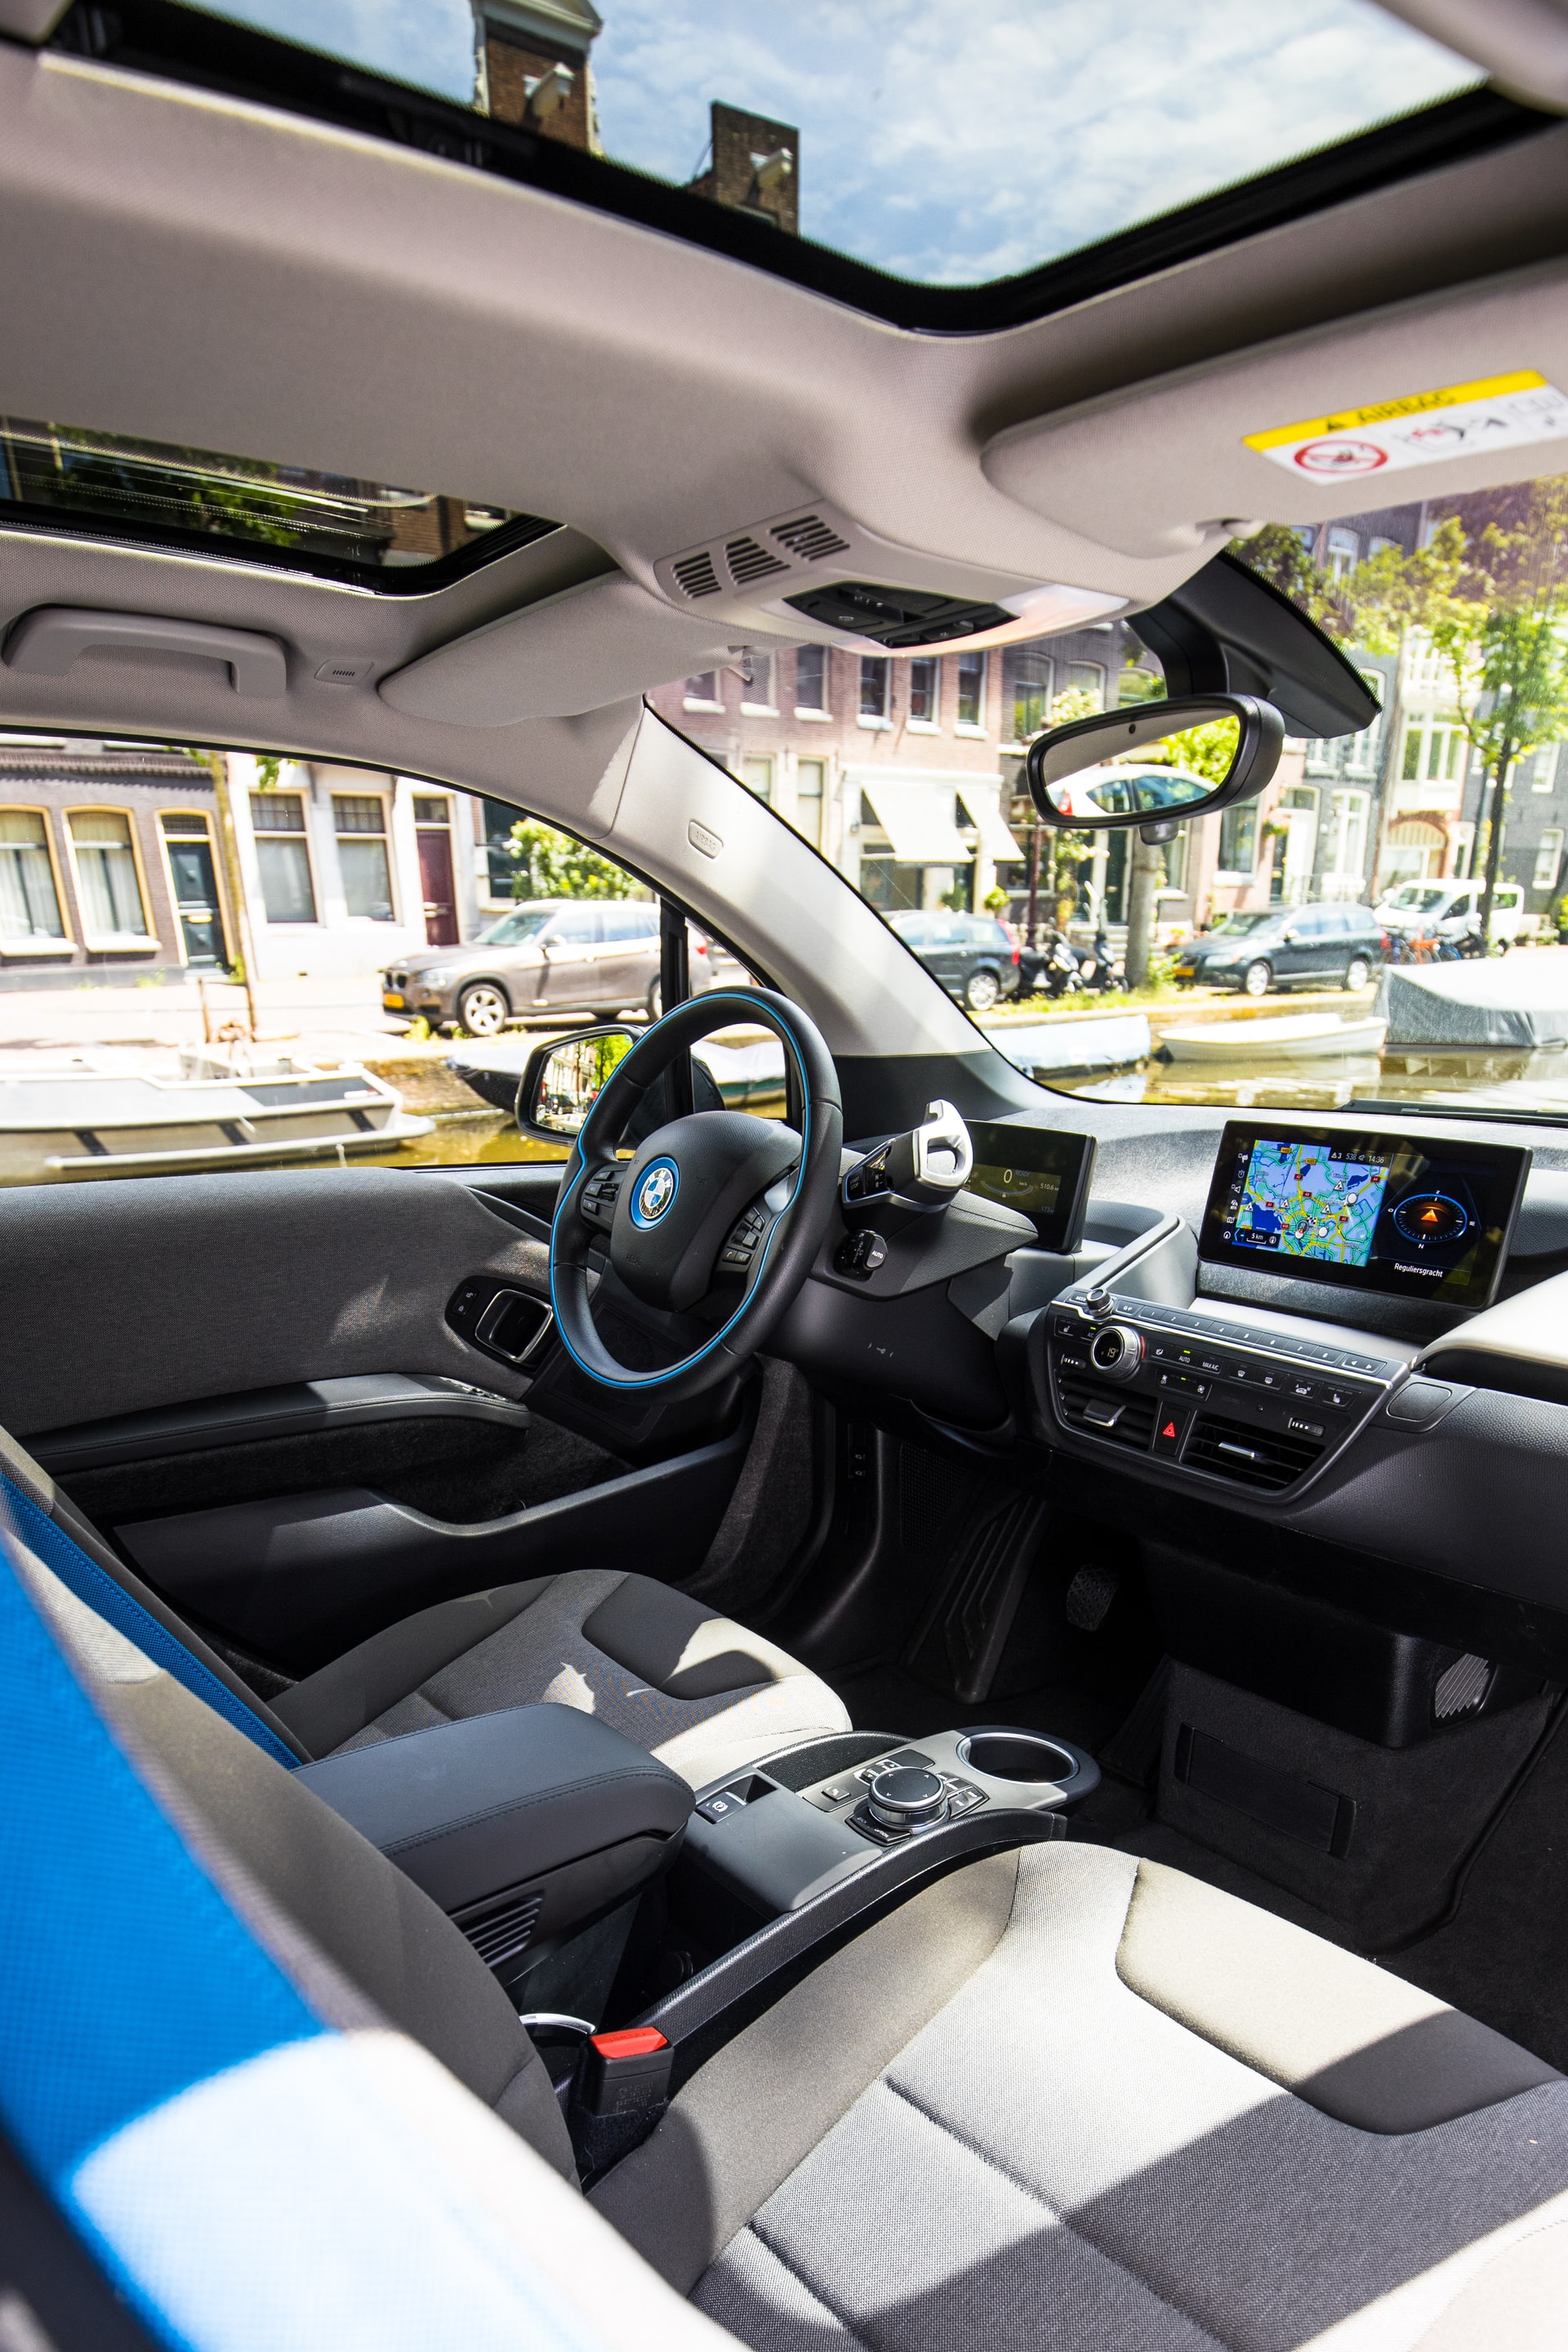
<point x="1353" y="1330"/>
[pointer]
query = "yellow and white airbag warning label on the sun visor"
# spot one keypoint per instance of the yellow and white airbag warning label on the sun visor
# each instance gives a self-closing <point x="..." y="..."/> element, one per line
<point x="1421" y="429"/>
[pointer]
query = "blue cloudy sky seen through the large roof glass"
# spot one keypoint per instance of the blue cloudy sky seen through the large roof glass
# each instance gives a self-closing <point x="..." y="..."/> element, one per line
<point x="956" y="145"/>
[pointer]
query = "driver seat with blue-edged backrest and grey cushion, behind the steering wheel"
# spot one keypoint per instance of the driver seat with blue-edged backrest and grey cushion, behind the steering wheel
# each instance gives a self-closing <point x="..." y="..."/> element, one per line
<point x="692" y="1688"/>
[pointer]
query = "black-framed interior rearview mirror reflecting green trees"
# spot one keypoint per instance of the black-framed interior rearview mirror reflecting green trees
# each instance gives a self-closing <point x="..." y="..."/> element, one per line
<point x="1155" y="766"/>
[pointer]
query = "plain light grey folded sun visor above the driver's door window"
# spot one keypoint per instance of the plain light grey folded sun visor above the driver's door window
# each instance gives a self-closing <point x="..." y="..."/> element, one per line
<point x="556" y="660"/>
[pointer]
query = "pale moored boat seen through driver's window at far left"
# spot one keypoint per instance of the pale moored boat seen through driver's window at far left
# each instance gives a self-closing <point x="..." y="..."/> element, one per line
<point x="105" y="1116"/>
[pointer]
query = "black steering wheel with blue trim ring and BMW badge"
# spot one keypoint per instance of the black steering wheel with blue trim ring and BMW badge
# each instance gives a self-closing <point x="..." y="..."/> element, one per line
<point x="718" y="1212"/>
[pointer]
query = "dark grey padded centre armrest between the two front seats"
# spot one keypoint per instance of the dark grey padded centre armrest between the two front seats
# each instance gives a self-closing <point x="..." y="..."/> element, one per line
<point x="525" y="1826"/>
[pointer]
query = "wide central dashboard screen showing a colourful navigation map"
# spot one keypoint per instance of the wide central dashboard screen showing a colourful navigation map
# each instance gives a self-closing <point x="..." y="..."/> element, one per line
<point x="1412" y="1217"/>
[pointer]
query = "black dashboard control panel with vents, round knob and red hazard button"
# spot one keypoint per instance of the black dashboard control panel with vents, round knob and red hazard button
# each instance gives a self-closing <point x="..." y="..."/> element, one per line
<point x="1233" y="1403"/>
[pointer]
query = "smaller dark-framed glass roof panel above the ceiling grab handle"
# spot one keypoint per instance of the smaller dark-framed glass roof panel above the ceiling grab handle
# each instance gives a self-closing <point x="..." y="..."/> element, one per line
<point x="403" y="540"/>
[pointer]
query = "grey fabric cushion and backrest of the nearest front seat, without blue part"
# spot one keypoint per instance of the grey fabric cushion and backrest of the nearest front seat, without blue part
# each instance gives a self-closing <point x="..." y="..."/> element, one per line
<point x="1061" y="2099"/>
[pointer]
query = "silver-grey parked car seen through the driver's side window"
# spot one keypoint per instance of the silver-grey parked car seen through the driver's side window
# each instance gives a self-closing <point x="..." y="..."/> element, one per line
<point x="547" y="956"/>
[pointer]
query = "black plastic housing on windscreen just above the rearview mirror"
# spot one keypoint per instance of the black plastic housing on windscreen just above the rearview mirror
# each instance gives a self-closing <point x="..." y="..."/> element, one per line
<point x="1228" y="632"/>
